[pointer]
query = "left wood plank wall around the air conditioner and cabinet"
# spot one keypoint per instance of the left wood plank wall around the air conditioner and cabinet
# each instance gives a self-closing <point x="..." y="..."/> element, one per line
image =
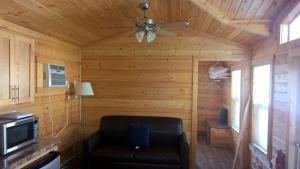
<point x="50" y="50"/>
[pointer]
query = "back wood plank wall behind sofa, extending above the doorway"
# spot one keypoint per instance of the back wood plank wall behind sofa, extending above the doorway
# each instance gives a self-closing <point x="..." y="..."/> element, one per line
<point x="133" y="78"/>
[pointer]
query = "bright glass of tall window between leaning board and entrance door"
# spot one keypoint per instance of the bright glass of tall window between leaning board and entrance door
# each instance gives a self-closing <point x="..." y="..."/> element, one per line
<point x="260" y="106"/>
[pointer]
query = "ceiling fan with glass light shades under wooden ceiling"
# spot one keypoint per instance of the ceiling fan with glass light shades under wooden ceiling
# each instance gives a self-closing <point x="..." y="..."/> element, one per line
<point x="147" y="26"/>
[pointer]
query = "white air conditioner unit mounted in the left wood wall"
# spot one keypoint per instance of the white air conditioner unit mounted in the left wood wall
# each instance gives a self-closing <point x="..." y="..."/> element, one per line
<point x="54" y="75"/>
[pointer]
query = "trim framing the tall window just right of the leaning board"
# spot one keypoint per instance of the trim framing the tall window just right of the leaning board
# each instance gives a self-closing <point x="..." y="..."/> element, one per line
<point x="269" y="61"/>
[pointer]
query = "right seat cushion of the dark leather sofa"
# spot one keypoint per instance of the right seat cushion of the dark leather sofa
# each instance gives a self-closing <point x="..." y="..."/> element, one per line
<point x="159" y="155"/>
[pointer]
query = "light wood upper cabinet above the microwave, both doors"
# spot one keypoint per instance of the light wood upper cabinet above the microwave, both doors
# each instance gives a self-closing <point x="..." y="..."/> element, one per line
<point x="17" y="65"/>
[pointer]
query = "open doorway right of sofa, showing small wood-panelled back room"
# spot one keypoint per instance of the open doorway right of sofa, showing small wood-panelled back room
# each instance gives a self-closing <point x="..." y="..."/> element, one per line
<point x="212" y="152"/>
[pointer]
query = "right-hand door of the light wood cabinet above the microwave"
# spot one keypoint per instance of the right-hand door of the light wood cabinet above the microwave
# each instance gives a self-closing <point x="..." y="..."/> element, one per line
<point x="23" y="68"/>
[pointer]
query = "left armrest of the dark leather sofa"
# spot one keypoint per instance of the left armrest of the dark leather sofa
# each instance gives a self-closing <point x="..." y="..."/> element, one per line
<point x="91" y="143"/>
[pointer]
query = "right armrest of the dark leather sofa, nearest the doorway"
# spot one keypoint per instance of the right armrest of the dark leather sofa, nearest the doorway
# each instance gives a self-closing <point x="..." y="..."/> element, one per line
<point x="184" y="151"/>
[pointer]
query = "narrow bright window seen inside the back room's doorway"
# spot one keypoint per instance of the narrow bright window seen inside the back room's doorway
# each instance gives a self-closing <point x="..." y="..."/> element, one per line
<point x="236" y="98"/>
